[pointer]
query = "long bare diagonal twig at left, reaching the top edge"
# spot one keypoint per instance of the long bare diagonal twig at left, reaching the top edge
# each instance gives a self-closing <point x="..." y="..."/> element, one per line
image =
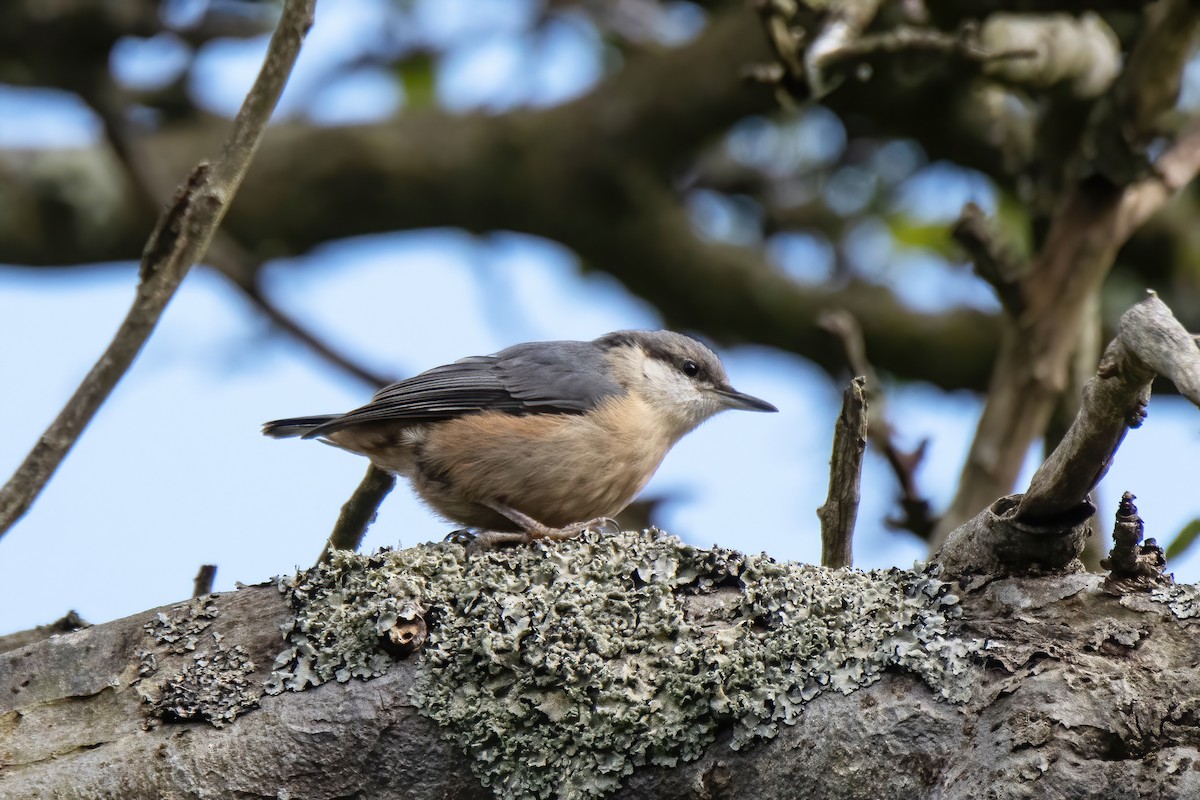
<point x="181" y="238"/>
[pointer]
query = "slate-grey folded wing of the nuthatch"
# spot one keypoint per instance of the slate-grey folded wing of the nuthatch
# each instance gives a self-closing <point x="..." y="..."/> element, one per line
<point x="538" y="377"/>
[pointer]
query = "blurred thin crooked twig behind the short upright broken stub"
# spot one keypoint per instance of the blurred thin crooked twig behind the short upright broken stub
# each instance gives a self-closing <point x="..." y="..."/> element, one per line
<point x="917" y="514"/>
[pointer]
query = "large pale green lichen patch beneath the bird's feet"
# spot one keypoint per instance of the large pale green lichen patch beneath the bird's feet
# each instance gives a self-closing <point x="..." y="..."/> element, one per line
<point x="562" y="667"/>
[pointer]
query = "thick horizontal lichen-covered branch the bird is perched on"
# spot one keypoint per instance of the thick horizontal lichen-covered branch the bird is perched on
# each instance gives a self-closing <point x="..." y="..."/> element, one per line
<point x="614" y="667"/>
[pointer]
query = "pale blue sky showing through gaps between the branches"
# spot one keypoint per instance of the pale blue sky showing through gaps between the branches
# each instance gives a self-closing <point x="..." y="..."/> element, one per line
<point x="173" y="472"/>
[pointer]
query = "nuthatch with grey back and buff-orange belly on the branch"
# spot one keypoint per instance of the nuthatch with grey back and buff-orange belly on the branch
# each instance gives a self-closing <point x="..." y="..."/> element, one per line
<point x="544" y="438"/>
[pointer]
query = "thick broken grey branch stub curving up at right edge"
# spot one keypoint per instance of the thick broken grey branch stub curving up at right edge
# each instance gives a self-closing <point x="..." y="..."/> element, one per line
<point x="1046" y="528"/>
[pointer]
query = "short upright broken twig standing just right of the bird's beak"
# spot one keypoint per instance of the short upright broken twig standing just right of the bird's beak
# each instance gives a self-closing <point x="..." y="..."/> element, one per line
<point x="841" y="510"/>
